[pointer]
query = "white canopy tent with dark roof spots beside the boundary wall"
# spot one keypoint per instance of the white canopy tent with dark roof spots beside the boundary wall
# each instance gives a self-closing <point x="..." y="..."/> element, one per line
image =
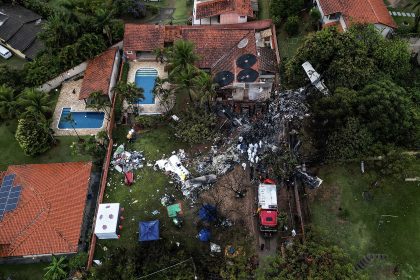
<point x="107" y="221"/>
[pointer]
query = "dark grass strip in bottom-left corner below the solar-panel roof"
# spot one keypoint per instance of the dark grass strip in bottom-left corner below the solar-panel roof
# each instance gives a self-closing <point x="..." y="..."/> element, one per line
<point x="23" y="272"/>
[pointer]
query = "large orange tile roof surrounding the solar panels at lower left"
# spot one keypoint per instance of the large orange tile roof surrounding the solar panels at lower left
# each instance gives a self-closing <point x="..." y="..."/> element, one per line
<point x="49" y="215"/>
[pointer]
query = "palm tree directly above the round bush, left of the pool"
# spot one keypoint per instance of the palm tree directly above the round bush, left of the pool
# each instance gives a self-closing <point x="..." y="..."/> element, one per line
<point x="36" y="102"/>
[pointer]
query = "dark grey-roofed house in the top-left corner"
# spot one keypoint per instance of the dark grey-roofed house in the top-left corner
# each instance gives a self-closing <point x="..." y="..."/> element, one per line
<point x="19" y="28"/>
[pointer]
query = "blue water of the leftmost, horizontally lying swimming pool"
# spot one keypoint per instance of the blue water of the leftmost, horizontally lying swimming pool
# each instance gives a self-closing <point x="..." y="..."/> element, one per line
<point x="81" y="119"/>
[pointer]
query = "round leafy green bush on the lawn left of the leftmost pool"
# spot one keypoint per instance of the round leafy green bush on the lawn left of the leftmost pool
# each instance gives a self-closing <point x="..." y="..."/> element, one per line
<point x="34" y="136"/>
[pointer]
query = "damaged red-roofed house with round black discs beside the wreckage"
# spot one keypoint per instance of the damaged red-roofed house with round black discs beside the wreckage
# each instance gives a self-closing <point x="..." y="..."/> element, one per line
<point x="242" y="58"/>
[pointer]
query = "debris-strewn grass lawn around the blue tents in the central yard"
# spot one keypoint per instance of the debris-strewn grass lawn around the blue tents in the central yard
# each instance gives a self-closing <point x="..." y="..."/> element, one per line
<point x="144" y="196"/>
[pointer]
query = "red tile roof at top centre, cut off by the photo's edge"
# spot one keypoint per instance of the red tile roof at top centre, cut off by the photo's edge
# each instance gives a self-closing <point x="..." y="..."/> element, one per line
<point x="218" y="7"/>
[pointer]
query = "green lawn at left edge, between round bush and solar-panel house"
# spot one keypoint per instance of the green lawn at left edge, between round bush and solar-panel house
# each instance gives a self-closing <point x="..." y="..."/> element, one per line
<point x="11" y="153"/>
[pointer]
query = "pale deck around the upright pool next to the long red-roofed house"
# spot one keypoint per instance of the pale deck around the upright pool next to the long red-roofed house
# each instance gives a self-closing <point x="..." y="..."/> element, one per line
<point x="136" y="65"/>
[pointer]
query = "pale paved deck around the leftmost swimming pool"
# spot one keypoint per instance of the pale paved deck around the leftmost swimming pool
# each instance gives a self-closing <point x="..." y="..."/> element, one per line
<point x="68" y="99"/>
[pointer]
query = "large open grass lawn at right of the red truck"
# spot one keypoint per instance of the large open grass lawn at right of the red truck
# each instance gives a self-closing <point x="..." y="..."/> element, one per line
<point x="388" y="224"/>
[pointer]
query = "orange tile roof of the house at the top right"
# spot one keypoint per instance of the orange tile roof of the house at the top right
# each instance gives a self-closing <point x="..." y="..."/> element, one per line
<point x="359" y="11"/>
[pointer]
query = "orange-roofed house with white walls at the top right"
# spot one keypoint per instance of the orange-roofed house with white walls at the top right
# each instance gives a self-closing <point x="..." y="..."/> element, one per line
<point x="342" y="13"/>
